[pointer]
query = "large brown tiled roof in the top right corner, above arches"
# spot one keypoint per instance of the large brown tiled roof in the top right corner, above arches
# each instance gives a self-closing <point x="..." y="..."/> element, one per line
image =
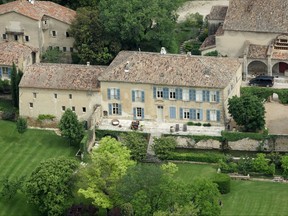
<point x="257" y="16"/>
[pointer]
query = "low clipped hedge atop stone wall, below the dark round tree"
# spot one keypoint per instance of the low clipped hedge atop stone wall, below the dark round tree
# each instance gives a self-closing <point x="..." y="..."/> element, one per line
<point x="235" y="136"/>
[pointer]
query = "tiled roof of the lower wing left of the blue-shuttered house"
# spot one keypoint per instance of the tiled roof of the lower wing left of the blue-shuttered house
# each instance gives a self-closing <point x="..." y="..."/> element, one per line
<point x="62" y="76"/>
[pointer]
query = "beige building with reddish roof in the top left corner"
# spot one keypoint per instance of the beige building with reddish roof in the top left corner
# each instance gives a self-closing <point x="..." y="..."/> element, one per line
<point x="38" y="24"/>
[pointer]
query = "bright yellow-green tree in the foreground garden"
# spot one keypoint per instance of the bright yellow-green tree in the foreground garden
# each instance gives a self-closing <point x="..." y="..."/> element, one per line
<point x="109" y="163"/>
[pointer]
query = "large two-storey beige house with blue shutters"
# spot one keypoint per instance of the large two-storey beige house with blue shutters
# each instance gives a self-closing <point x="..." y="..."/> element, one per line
<point x="169" y="88"/>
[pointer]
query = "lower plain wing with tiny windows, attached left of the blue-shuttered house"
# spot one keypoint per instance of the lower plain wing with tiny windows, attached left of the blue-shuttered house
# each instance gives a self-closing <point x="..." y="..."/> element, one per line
<point x="53" y="88"/>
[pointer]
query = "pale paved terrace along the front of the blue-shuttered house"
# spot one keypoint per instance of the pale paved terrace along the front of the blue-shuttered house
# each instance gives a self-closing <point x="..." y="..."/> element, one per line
<point x="161" y="128"/>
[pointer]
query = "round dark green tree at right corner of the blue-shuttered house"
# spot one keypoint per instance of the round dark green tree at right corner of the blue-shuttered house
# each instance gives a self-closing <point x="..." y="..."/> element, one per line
<point x="248" y="111"/>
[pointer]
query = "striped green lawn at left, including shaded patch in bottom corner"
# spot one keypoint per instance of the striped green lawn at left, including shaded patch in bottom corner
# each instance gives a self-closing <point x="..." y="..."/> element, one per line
<point x="19" y="156"/>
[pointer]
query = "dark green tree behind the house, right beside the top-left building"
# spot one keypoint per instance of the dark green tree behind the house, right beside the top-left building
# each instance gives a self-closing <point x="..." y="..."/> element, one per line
<point x="91" y="42"/>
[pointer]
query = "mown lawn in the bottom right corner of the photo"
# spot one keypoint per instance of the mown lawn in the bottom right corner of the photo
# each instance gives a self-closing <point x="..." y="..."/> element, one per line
<point x="256" y="199"/>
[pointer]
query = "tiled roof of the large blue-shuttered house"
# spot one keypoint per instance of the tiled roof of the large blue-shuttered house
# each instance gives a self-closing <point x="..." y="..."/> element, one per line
<point x="169" y="69"/>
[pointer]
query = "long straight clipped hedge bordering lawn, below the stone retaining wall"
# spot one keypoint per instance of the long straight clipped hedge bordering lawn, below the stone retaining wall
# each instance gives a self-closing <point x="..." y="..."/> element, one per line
<point x="197" y="156"/>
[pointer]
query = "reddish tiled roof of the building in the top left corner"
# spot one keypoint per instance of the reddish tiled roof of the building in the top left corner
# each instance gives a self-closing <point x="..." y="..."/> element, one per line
<point x="39" y="9"/>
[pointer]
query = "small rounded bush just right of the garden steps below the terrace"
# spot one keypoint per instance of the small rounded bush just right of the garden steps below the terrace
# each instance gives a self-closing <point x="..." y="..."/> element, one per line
<point x="163" y="147"/>
